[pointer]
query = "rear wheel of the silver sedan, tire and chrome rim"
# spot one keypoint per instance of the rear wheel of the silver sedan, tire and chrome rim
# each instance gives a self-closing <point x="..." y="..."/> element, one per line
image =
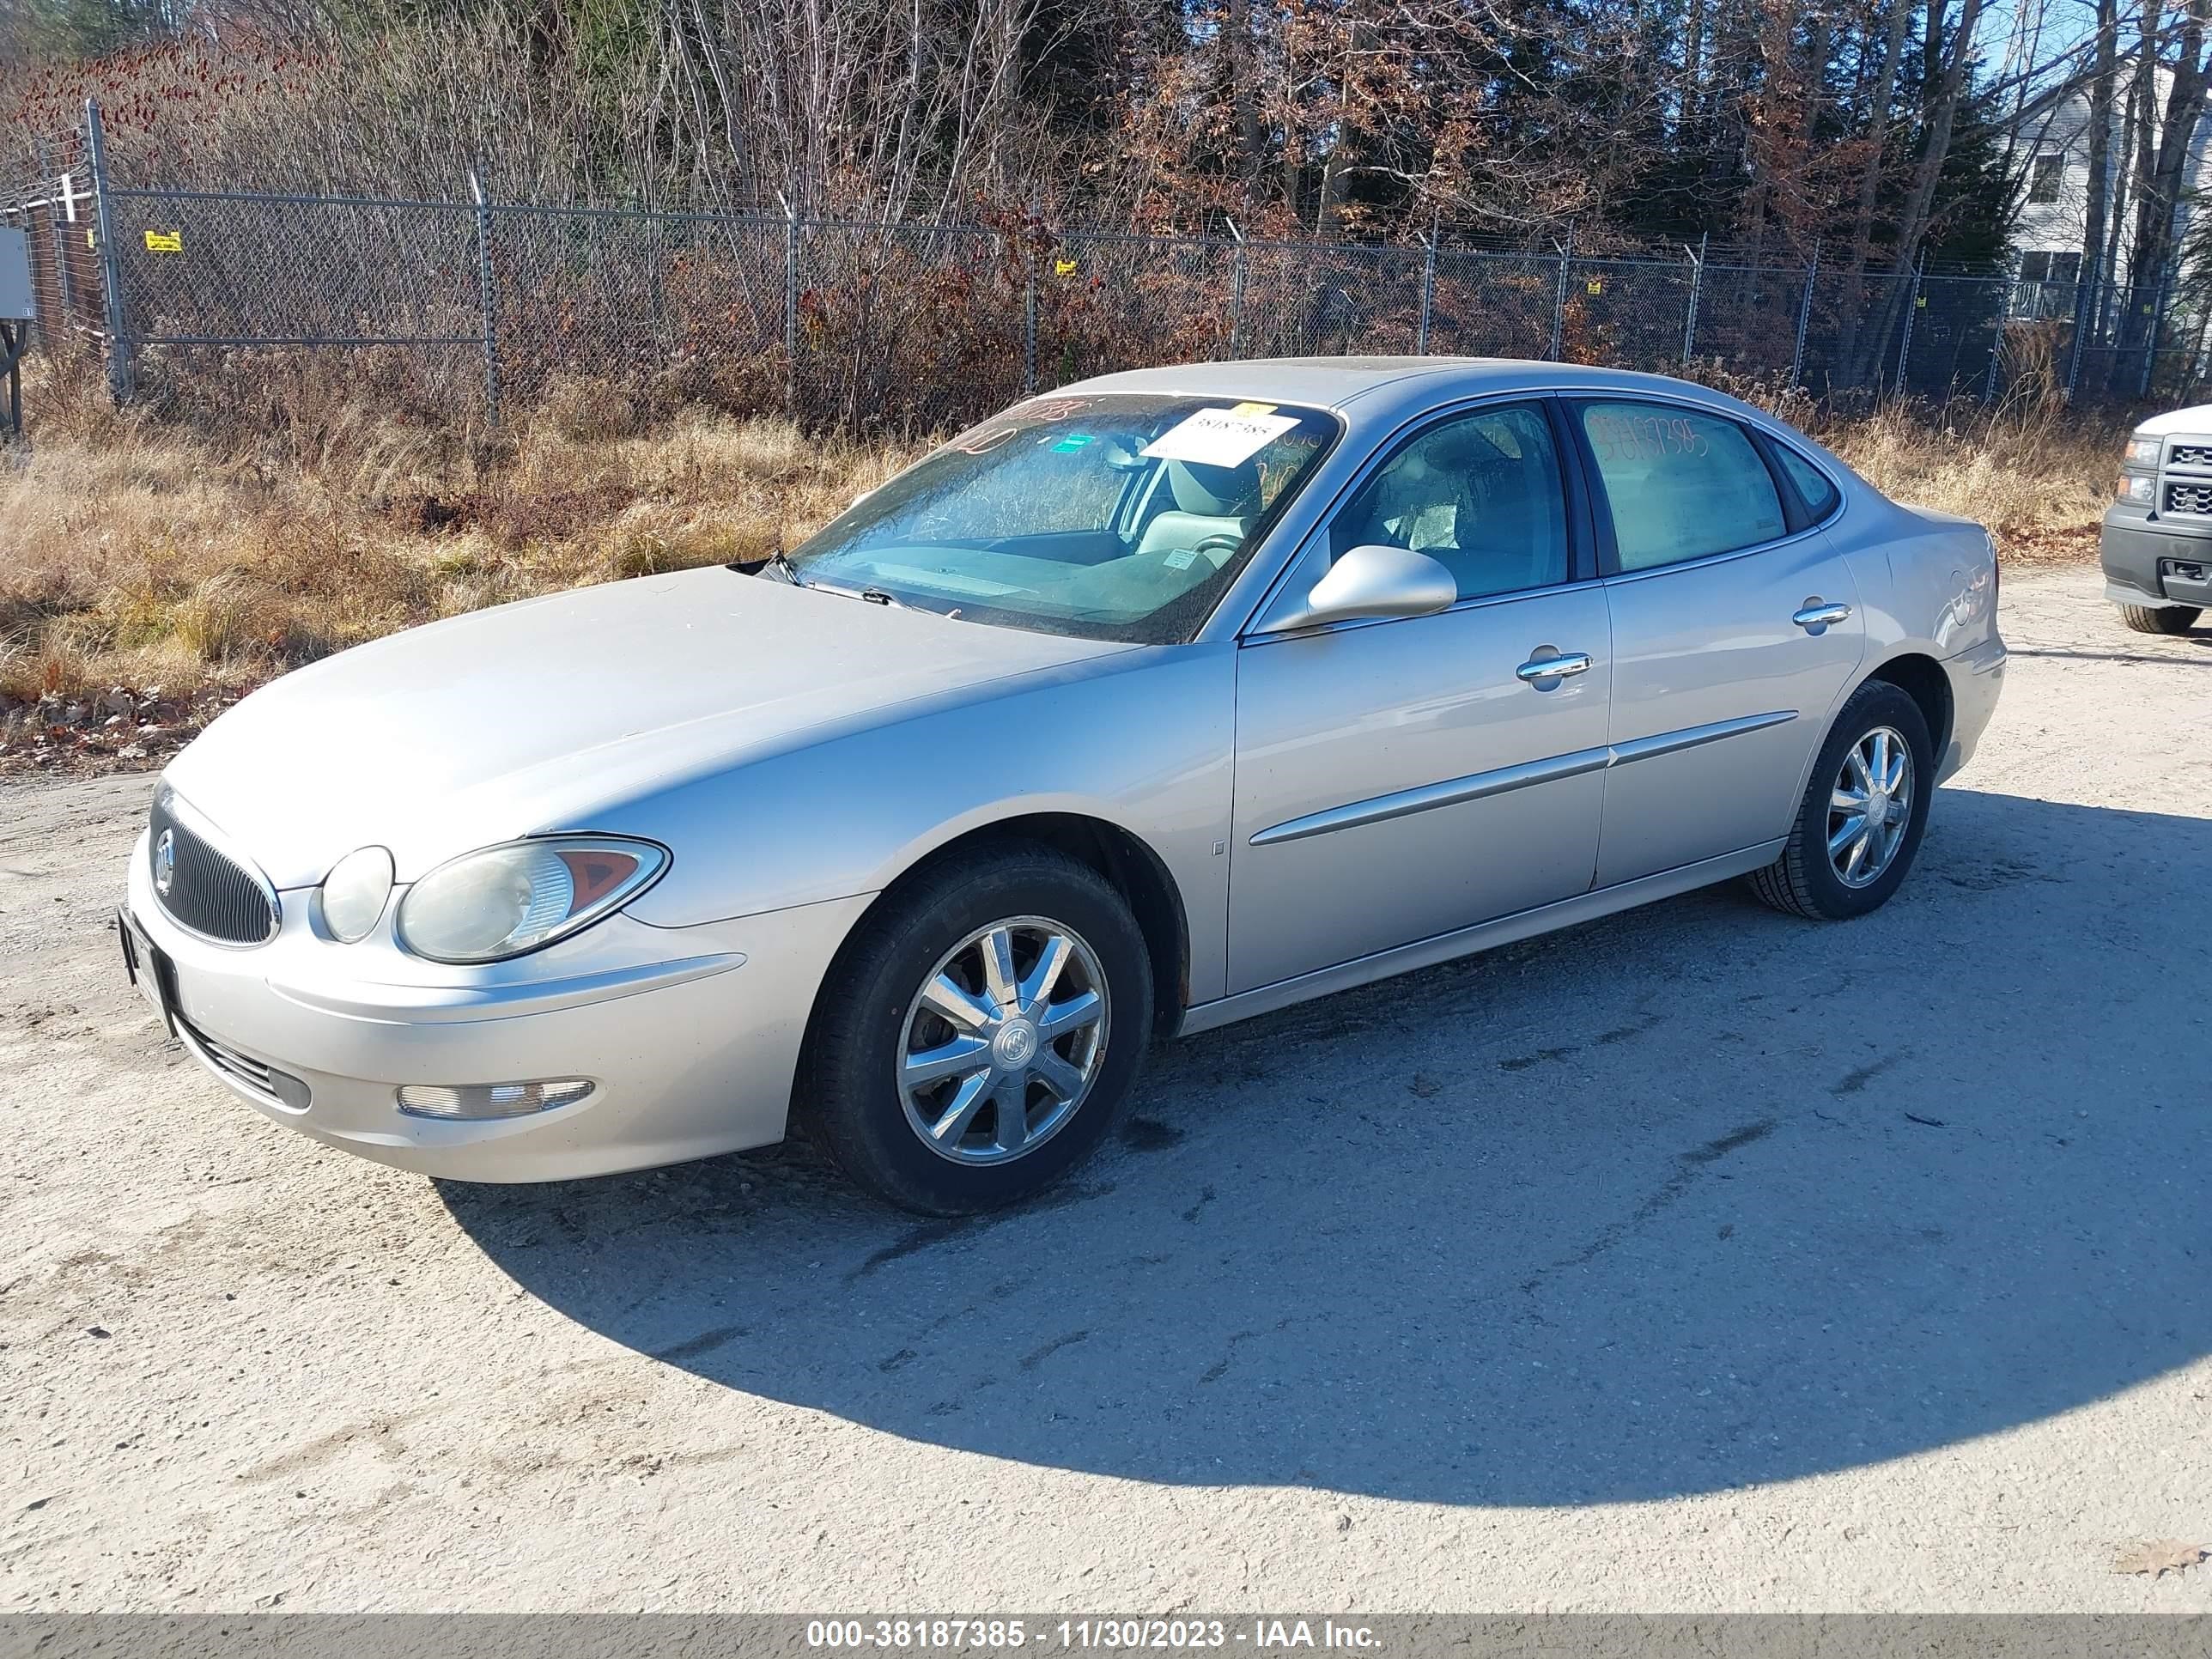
<point x="1864" y="813"/>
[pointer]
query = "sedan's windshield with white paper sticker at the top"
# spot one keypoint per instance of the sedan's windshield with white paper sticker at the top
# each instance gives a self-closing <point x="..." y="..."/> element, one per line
<point x="1116" y="517"/>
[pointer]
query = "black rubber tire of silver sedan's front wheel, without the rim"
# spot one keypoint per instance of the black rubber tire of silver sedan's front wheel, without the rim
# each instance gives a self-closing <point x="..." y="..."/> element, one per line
<point x="848" y="1081"/>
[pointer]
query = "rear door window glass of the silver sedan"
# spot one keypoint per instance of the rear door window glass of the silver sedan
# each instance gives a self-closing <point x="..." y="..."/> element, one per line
<point x="1682" y="486"/>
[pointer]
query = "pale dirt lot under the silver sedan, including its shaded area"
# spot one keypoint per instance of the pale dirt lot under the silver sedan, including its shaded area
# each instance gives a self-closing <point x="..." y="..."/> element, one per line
<point x="1693" y="1260"/>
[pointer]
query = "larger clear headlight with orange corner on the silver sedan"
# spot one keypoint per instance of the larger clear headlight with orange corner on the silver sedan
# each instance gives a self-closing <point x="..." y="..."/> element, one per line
<point x="505" y="901"/>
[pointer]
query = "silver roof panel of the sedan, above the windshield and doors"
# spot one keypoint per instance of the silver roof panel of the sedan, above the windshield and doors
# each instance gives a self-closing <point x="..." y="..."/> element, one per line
<point x="1339" y="382"/>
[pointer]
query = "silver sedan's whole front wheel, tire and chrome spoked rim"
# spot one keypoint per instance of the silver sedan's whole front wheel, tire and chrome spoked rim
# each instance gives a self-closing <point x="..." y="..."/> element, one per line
<point x="979" y="1036"/>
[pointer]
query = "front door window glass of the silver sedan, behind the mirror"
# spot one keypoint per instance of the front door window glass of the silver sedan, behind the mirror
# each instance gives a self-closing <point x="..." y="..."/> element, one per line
<point x="1479" y="494"/>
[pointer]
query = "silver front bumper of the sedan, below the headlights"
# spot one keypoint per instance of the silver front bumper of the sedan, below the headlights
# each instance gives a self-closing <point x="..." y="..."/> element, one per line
<point x="691" y="1036"/>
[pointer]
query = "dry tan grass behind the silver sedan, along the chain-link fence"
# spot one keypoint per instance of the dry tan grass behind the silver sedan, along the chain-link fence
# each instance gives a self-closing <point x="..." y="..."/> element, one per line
<point x="149" y="574"/>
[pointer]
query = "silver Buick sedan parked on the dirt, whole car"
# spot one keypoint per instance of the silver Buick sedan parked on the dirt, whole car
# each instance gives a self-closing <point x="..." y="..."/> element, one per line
<point x="1145" y="707"/>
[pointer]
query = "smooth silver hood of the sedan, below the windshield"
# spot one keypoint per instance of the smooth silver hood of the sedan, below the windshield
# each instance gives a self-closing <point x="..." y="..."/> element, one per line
<point x="534" y="716"/>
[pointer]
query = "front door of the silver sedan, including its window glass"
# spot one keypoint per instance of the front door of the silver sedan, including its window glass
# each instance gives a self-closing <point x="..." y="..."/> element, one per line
<point x="1404" y="780"/>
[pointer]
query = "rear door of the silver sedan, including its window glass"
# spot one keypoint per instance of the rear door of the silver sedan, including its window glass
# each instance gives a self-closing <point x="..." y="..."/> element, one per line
<point x="1735" y="632"/>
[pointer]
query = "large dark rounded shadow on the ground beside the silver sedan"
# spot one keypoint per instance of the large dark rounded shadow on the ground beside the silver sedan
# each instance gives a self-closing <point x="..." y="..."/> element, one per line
<point x="1673" y="1202"/>
